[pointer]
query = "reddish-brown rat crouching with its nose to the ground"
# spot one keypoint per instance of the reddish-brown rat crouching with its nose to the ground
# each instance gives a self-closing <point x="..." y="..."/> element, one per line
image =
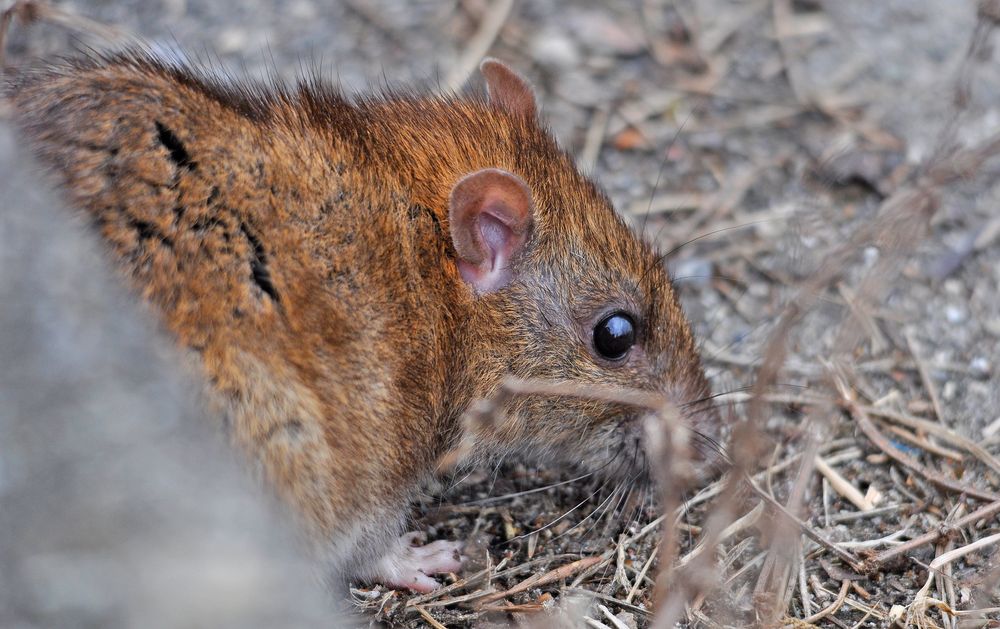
<point x="353" y="274"/>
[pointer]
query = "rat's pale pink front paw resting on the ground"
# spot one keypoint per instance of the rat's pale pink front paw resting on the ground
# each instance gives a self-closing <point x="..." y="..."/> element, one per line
<point x="409" y="565"/>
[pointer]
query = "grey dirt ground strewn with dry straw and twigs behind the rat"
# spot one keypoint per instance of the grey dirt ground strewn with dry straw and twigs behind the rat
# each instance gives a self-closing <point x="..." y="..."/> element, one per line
<point x="828" y="159"/>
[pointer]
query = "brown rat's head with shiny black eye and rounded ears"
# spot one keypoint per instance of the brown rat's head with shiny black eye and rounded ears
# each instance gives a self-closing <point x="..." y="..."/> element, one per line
<point x="565" y="293"/>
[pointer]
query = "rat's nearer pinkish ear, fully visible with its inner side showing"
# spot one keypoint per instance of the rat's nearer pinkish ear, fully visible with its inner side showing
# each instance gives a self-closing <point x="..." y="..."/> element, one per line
<point x="490" y="215"/>
